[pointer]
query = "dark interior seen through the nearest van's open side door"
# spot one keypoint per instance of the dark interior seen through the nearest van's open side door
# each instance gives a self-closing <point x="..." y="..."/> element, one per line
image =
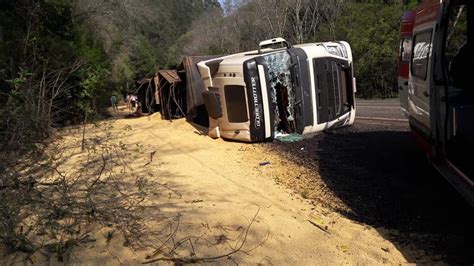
<point x="459" y="65"/>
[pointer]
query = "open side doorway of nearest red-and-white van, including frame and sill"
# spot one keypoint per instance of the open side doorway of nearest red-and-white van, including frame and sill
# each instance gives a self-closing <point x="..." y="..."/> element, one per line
<point x="453" y="103"/>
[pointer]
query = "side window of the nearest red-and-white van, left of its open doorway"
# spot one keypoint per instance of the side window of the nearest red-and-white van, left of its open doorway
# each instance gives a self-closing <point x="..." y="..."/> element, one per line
<point x="421" y="54"/>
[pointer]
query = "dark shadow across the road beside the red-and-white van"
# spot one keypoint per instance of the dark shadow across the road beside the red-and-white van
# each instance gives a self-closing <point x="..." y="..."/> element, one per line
<point x="385" y="181"/>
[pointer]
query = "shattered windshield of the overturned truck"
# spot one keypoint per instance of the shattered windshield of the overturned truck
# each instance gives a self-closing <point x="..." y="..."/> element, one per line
<point x="282" y="91"/>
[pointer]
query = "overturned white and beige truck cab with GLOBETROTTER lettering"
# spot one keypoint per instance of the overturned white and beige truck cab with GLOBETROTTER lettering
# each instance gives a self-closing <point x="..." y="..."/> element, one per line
<point x="256" y="96"/>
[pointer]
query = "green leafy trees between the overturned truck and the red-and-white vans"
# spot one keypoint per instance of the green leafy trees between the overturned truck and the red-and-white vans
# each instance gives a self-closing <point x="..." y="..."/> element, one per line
<point x="374" y="38"/>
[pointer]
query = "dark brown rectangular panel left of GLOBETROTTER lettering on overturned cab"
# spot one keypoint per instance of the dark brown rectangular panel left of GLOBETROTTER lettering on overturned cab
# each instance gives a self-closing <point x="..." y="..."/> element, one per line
<point x="236" y="103"/>
